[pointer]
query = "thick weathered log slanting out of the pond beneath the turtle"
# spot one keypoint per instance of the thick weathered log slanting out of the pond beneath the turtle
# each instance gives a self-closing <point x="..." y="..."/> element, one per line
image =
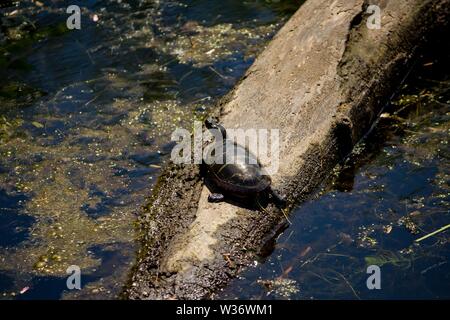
<point x="322" y="81"/>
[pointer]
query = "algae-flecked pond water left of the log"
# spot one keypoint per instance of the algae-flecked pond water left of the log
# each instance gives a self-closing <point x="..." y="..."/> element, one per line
<point x="85" y="123"/>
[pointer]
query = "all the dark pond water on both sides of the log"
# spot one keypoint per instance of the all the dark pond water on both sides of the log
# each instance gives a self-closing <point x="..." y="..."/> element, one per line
<point x="85" y="120"/>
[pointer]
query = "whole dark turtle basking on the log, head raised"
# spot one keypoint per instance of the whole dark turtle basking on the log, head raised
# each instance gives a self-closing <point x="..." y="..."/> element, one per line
<point x="243" y="178"/>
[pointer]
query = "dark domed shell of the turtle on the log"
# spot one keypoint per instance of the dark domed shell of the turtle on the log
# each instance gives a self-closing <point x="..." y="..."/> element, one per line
<point x="243" y="174"/>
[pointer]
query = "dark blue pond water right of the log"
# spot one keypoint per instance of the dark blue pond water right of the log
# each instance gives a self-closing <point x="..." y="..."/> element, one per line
<point x="392" y="190"/>
